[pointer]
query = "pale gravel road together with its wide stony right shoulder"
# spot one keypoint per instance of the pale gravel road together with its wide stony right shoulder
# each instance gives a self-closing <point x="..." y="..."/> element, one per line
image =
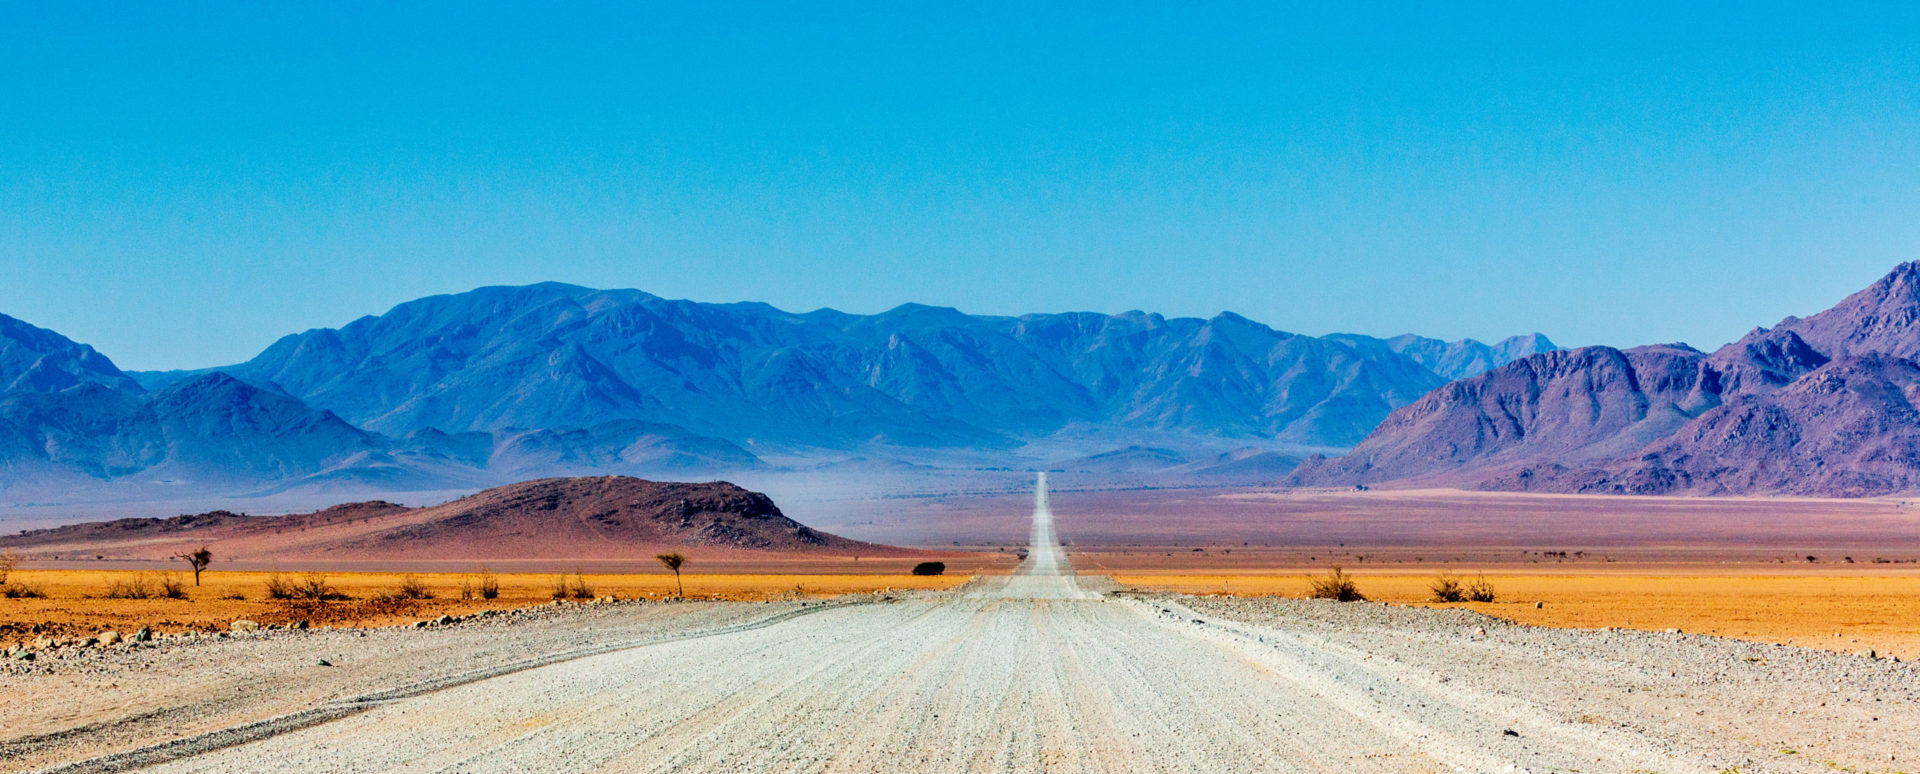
<point x="1051" y="673"/>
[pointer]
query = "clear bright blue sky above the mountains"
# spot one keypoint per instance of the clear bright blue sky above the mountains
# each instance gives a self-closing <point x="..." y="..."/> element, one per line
<point x="183" y="183"/>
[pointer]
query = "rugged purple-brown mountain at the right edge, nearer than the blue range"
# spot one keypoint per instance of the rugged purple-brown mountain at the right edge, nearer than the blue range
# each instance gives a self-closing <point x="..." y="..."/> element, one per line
<point x="1819" y="406"/>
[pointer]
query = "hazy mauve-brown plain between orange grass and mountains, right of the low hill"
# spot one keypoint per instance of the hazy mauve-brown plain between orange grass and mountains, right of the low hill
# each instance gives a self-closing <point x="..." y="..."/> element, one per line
<point x="1124" y="531"/>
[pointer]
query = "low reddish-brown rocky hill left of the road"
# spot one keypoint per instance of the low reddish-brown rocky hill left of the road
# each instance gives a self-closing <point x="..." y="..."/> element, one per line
<point x="606" y="518"/>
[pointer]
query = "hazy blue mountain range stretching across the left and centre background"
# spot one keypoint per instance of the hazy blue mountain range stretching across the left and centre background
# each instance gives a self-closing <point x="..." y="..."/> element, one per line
<point x="454" y="393"/>
